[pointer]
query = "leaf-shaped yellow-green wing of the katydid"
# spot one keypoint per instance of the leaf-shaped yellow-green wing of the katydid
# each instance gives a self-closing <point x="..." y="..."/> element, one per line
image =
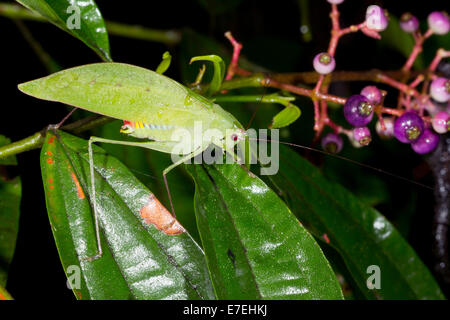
<point x="120" y="91"/>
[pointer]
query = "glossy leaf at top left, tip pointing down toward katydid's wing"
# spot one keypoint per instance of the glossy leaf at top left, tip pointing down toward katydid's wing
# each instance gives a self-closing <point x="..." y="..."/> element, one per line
<point x="80" y="18"/>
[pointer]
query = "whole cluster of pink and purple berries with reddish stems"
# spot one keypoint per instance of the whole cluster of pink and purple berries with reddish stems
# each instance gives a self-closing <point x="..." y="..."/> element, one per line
<point x="420" y="116"/>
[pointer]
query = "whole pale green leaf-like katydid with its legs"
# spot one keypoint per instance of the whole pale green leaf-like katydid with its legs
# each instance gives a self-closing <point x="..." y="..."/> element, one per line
<point x="152" y="106"/>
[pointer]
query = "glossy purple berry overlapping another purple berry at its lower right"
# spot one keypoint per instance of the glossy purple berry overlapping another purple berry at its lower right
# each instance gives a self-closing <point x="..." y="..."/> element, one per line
<point x="408" y="127"/>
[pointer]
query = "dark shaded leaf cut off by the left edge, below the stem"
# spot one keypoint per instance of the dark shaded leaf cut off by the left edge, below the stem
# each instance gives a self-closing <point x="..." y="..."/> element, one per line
<point x="10" y="195"/>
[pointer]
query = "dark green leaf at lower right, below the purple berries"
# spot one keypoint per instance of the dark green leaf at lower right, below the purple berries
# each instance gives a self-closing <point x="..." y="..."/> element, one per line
<point x="362" y="236"/>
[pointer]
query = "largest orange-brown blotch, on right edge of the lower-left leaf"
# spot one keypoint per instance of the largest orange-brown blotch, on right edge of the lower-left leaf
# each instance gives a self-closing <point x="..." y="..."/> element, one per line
<point x="155" y="213"/>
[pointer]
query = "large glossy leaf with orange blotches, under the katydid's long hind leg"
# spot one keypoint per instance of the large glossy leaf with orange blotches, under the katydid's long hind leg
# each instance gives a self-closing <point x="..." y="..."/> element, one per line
<point x="140" y="260"/>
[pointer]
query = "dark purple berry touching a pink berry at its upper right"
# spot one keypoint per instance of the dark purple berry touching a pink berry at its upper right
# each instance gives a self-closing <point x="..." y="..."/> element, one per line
<point x="358" y="110"/>
